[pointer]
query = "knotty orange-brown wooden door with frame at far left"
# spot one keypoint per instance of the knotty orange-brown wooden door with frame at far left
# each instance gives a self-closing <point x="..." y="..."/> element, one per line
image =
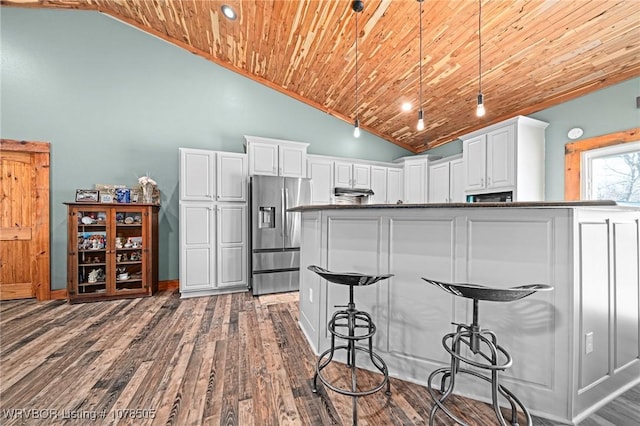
<point x="24" y="223"/>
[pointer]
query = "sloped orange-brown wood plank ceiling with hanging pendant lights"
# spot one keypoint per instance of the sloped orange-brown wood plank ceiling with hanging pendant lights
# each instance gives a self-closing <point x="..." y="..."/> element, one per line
<point x="535" y="53"/>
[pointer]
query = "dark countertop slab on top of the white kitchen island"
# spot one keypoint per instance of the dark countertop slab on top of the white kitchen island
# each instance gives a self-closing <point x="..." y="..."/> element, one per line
<point x="518" y="204"/>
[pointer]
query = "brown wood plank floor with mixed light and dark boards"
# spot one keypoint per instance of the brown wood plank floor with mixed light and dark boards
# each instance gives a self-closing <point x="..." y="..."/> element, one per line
<point x="229" y="360"/>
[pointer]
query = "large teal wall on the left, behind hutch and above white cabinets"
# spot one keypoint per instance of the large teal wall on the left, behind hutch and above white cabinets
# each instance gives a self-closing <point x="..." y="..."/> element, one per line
<point x="116" y="103"/>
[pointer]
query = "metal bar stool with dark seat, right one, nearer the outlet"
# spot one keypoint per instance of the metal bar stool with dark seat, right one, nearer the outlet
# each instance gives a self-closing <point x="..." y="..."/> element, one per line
<point x="487" y="354"/>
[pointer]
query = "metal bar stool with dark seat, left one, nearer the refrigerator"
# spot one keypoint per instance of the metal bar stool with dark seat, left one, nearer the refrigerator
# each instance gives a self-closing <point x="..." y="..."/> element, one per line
<point x="353" y="326"/>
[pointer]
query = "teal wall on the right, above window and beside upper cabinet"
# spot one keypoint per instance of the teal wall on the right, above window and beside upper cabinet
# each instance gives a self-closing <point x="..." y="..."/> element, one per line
<point x="608" y="110"/>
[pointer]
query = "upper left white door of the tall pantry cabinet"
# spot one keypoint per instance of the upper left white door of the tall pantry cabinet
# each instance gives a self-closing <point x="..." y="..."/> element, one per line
<point x="197" y="175"/>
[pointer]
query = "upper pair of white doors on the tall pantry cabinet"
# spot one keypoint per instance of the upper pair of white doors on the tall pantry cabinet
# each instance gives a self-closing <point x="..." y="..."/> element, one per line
<point x="212" y="176"/>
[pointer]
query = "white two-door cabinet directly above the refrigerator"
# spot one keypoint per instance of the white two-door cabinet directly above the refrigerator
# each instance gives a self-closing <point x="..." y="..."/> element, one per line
<point x="275" y="157"/>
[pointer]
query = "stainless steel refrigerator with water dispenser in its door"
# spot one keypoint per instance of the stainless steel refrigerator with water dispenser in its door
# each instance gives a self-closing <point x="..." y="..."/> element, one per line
<point x="275" y="233"/>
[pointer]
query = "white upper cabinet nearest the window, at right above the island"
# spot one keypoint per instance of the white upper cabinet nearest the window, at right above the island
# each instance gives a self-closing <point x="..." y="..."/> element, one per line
<point x="508" y="156"/>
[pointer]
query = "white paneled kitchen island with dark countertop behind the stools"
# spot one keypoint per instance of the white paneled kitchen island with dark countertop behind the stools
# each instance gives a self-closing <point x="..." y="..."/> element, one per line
<point x="574" y="348"/>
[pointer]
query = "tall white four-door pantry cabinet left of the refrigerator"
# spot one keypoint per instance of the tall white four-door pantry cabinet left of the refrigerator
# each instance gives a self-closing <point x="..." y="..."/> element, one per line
<point x="213" y="222"/>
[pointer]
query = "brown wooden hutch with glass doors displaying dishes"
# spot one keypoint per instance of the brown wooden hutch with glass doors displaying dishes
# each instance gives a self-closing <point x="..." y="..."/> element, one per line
<point x="112" y="251"/>
